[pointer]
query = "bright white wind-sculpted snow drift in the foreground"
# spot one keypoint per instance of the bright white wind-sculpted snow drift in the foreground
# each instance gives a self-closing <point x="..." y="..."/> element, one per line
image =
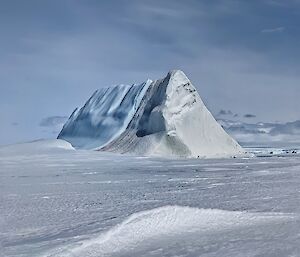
<point x="145" y="232"/>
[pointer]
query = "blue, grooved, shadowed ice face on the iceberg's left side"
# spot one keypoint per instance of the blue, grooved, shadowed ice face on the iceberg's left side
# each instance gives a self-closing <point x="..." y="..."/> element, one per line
<point x="104" y="116"/>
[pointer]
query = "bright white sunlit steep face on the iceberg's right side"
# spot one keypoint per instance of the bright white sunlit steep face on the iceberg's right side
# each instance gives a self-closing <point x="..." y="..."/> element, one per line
<point x="188" y="119"/>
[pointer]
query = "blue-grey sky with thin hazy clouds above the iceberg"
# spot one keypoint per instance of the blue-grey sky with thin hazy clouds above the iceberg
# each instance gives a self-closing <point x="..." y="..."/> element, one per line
<point x="242" y="56"/>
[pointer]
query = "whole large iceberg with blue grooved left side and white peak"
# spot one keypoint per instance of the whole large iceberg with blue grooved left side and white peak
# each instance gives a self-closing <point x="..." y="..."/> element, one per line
<point x="165" y="117"/>
